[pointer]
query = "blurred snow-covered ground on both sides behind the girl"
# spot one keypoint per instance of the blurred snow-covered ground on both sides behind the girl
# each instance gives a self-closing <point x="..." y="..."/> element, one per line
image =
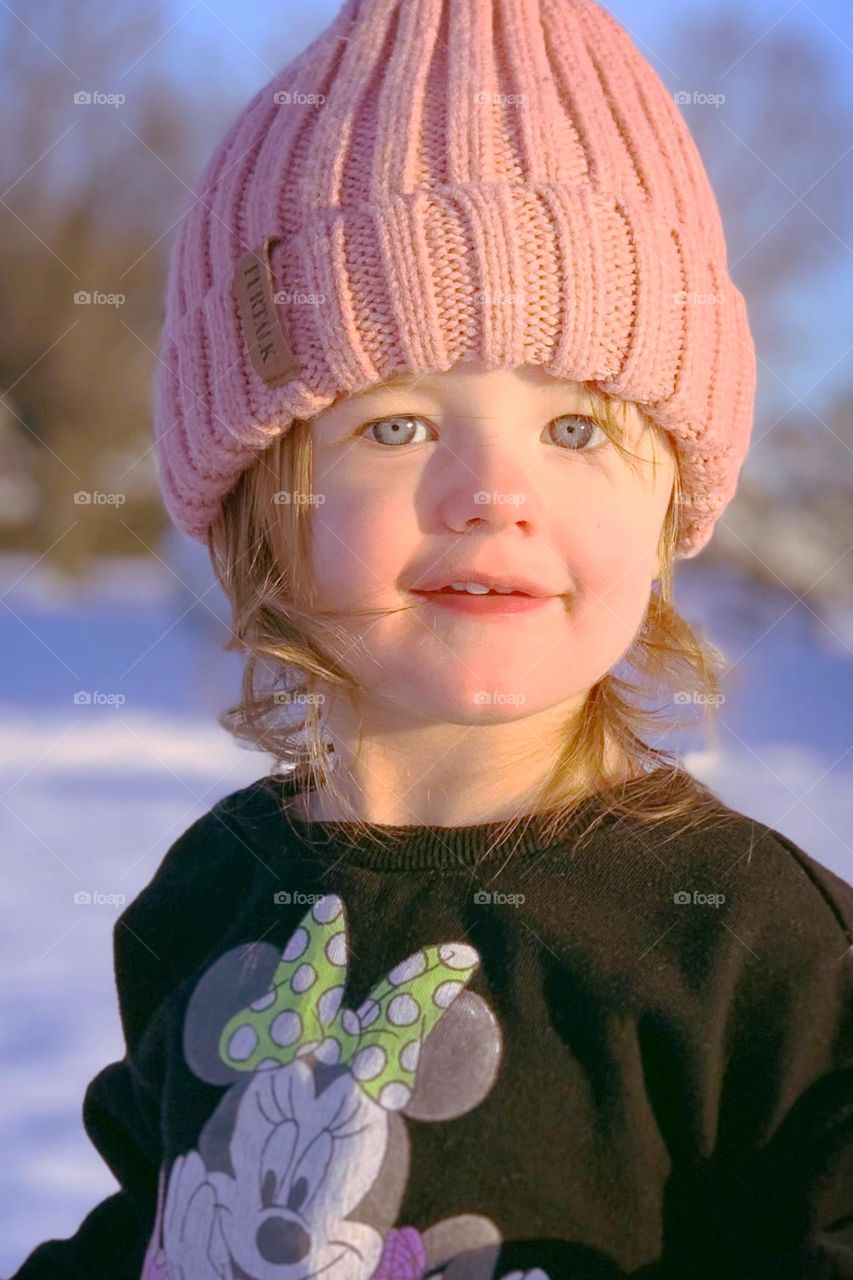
<point x="94" y="793"/>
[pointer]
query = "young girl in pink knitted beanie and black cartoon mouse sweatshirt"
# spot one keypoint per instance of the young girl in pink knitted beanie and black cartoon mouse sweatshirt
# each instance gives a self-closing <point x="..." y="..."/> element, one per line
<point x="478" y="982"/>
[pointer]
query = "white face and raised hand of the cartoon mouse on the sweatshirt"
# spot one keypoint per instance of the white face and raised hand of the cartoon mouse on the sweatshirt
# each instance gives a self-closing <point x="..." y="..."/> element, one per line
<point x="302" y="1162"/>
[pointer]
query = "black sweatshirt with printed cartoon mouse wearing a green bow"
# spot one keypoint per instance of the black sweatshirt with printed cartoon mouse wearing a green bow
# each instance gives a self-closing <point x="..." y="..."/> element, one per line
<point x="632" y="1058"/>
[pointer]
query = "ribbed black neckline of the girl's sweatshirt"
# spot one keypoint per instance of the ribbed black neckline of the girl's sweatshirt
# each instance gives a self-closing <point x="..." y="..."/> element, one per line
<point x="423" y="848"/>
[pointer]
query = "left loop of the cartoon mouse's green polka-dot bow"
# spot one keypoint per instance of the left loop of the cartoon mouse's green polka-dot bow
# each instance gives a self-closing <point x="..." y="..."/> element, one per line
<point x="294" y="1016"/>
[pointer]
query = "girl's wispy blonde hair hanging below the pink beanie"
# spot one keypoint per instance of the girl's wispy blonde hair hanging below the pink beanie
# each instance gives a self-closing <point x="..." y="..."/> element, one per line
<point x="261" y="552"/>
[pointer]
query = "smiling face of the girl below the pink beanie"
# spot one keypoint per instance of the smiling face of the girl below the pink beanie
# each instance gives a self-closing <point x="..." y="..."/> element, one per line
<point x="495" y="472"/>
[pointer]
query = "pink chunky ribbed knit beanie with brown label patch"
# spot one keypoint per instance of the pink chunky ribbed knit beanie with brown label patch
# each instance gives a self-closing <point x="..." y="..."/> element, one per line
<point x="435" y="181"/>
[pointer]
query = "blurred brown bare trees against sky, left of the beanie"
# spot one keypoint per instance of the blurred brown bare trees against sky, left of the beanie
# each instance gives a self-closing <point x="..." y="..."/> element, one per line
<point x="92" y="193"/>
